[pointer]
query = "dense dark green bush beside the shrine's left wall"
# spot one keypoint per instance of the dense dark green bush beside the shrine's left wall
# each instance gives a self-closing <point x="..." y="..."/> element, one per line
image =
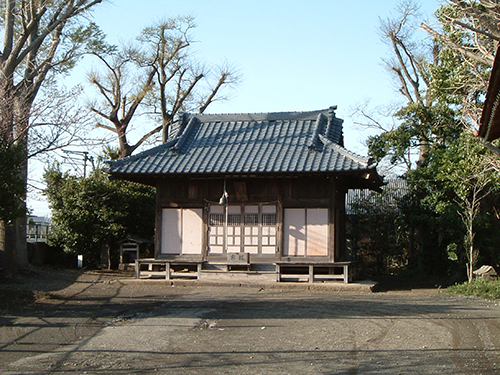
<point x="90" y="215"/>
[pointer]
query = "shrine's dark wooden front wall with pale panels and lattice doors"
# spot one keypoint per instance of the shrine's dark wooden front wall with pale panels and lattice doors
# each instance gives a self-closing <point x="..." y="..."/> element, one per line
<point x="271" y="219"/>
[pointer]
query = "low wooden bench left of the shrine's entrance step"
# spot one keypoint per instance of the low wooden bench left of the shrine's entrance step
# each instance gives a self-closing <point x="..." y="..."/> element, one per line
<point x="168" y="265"/>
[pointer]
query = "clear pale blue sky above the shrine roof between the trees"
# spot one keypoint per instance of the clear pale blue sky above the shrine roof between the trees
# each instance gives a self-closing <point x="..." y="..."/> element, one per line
<point x="293" y="55"/>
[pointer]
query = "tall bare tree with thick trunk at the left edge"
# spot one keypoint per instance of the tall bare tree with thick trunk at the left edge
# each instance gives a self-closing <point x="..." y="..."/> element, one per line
<point x="40" y="40"/>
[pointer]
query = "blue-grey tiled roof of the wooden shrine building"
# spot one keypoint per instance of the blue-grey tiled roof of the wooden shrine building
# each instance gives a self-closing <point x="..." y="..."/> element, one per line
<point x="286" y="142"/>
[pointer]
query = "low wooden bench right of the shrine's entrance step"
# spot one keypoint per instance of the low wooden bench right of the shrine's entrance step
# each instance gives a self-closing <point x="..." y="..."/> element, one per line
<point x="347" y="275"/>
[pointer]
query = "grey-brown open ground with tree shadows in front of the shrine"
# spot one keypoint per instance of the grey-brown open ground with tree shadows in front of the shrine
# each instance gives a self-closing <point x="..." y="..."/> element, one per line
<point x="99" y="323"/>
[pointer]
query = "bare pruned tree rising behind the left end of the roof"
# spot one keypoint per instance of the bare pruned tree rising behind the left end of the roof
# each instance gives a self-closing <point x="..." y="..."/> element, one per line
<point x="166" y="81"/>
